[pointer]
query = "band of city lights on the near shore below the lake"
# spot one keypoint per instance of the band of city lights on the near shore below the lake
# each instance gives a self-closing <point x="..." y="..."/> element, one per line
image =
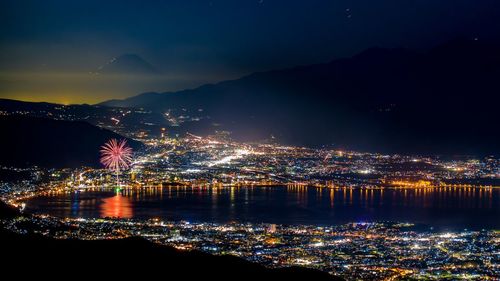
<point x="357" y="250"/>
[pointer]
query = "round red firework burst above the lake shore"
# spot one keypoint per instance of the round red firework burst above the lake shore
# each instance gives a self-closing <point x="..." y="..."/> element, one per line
<point x="116" y="155"/>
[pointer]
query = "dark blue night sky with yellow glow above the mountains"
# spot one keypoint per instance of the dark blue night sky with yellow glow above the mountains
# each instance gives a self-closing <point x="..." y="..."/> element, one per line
<point x="48" y="49"/>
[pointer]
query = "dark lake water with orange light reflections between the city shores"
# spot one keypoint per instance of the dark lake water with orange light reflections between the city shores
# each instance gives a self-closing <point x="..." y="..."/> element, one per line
<point x="448" y="206"/>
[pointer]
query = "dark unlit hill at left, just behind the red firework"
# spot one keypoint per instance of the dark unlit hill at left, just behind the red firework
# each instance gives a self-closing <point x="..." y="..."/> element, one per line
<point x="28" y="141"/>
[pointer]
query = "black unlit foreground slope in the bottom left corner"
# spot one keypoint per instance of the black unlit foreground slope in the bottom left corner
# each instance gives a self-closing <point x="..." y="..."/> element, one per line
<point x="131" y="257"/>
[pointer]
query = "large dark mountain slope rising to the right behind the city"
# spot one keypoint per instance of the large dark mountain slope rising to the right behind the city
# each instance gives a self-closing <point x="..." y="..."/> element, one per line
<point x="389" y="100"/>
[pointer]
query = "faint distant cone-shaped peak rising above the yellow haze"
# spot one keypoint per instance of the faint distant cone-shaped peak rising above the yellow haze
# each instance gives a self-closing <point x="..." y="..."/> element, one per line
<point x="128" y="64"/>
